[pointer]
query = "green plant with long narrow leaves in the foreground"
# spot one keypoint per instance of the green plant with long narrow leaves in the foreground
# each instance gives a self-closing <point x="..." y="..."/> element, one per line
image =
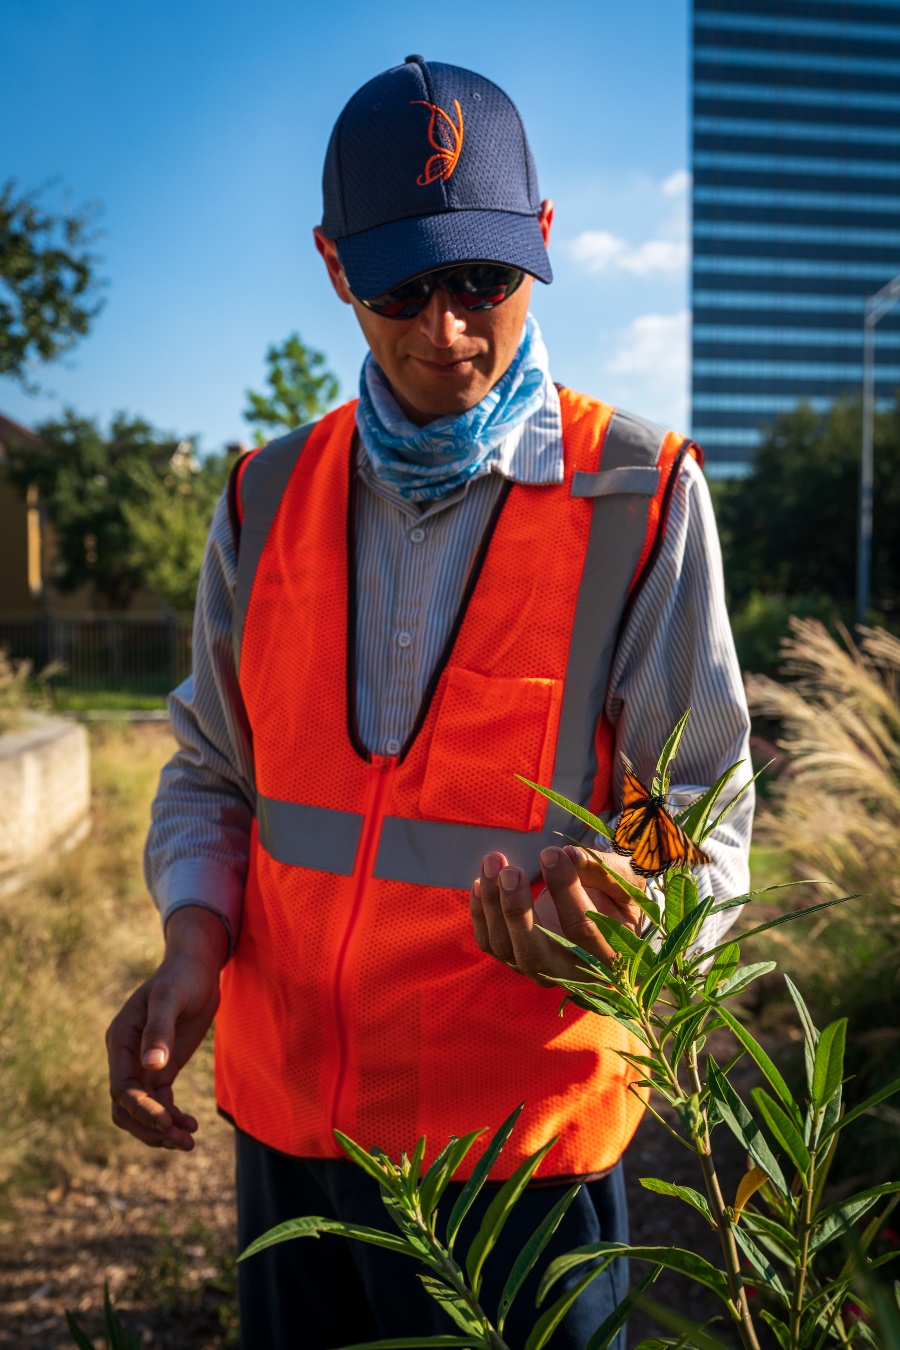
<point x="670" y="996"/>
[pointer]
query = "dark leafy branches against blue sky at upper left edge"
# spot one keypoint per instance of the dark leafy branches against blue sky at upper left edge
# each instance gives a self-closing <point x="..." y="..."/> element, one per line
<point x="48" y="281"/>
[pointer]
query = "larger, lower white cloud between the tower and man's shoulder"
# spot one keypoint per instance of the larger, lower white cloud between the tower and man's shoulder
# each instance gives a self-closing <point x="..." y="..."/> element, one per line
<point x="652" y="367"/>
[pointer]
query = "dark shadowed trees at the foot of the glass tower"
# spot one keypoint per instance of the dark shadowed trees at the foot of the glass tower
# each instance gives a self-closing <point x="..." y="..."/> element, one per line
<point x="791" y="529"/>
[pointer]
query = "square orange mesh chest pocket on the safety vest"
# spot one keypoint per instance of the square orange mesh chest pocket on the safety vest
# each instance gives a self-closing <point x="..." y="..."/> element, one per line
<point x="486" y="731"/>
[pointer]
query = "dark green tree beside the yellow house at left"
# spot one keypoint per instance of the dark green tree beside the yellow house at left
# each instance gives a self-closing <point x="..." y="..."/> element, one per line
<point x="88" y="480"/>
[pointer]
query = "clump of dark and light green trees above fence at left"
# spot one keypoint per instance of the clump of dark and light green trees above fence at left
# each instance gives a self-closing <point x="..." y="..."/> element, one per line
<point x="125" y="506"/>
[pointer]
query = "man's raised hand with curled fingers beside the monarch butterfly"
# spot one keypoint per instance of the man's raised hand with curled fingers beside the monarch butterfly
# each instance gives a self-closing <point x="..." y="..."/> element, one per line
<point x="507" y="919"/>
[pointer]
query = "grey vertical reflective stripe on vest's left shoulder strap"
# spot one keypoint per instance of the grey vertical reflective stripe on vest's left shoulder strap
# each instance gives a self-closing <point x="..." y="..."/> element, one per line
<point x="262" y="489"/>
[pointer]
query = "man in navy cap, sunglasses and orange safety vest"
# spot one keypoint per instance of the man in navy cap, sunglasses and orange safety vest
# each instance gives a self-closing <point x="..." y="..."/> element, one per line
<point x="463" y="576"/>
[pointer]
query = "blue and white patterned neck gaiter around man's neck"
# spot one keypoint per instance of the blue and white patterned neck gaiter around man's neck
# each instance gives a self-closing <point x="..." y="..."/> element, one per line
<point x="424" y="464"/>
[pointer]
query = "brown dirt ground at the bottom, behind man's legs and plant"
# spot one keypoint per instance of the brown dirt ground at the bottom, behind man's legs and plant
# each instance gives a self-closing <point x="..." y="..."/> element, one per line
<point x="159" y="1229"/>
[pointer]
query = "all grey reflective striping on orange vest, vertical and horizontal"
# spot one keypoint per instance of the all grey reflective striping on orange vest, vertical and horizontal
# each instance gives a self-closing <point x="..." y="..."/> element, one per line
<point x="445" y="854"/>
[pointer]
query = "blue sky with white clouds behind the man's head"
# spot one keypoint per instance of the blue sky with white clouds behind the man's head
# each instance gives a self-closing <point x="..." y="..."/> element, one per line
<point x="202" y="130"/>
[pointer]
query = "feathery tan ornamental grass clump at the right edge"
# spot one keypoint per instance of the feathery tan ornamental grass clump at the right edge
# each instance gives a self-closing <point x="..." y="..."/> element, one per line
<point x="836" y="815"/>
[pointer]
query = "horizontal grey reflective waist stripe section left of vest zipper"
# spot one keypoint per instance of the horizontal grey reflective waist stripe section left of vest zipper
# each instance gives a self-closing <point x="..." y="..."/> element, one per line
<point x="310" y="836"/>
